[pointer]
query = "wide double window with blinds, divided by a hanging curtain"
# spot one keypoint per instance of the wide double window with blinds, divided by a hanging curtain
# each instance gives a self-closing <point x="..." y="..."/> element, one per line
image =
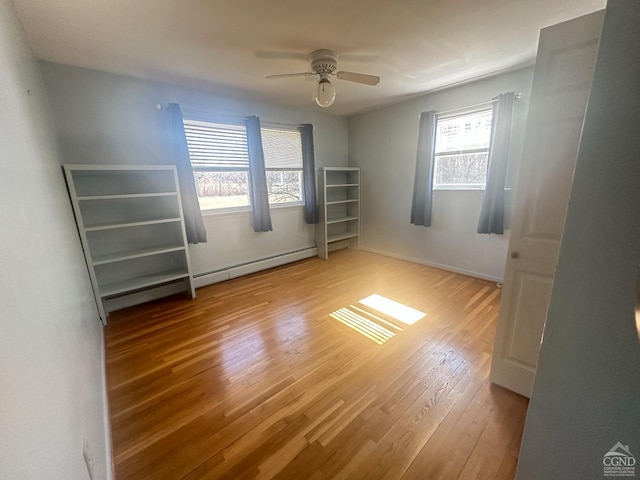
<point x="220" y="161"/>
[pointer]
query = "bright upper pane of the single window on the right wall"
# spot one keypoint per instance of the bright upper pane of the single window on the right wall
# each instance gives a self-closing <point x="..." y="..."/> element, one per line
<point x="464" y="132"/>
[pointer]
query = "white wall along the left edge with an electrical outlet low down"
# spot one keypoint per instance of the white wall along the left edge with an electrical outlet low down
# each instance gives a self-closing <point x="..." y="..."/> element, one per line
<point x="51" y="364"/>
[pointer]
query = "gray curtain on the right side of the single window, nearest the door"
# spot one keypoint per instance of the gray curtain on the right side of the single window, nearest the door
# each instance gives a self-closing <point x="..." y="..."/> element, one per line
<point x="492" y="212"/>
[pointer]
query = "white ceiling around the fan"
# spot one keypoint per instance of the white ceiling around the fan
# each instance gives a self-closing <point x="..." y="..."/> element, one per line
<point x="413" y="45"/>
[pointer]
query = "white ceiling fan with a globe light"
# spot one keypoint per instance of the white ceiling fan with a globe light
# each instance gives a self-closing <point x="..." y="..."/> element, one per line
<point x="324" y="63"/>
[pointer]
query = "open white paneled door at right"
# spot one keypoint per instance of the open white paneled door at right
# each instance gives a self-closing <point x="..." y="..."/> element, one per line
<point x="561" y="83"/>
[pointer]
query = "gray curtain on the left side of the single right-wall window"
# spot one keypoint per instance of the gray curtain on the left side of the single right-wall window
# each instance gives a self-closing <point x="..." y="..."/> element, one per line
<point x="423" y="180"/>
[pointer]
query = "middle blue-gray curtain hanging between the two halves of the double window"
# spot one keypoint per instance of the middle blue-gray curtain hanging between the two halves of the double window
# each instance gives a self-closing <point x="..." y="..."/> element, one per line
<point x="257" y="176"/>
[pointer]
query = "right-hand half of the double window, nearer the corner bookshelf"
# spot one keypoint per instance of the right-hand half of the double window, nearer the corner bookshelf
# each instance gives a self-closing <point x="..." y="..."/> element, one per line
<point x="283" y="164"/>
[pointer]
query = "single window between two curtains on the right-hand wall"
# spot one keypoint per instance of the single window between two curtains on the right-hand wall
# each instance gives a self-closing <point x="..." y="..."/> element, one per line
<point x="462" y="150"/>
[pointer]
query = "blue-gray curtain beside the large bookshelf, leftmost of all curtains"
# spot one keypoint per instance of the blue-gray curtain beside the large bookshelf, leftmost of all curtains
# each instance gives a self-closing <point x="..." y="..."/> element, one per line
<point x="193" y="222"/>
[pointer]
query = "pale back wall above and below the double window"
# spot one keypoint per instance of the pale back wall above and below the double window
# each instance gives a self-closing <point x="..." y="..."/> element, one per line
<point x="105" y="118"/>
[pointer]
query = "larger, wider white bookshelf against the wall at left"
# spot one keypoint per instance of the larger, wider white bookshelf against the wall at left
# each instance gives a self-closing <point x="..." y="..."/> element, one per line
<point x="131" y="226"/>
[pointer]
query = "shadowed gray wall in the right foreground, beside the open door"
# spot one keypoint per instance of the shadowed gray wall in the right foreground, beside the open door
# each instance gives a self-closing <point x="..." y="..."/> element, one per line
<point x="586" y="395"/>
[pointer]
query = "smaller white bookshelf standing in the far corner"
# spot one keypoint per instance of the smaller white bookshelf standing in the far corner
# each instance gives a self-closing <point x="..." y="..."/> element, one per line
<point x="339" y="202"/>
